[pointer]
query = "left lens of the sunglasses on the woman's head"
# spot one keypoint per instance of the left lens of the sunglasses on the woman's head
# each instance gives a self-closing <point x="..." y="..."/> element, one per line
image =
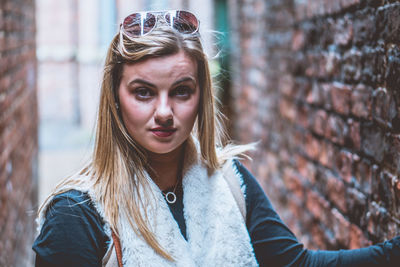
<point x="136" y="25"/>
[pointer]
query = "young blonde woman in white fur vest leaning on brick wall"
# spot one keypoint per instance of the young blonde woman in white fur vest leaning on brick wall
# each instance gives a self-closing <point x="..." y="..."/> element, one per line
<point x="161" y="190"/>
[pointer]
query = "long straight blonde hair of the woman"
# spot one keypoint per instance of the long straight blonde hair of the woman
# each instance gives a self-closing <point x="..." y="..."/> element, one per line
<point x="117" y="171"/>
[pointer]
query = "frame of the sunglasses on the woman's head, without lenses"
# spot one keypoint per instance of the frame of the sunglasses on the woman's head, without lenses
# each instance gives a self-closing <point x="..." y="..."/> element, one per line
<point x="157" y="14"/>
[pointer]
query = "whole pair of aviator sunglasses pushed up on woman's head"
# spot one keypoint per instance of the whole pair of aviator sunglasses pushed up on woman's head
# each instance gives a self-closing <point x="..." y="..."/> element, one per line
<point x="141" y="23"/>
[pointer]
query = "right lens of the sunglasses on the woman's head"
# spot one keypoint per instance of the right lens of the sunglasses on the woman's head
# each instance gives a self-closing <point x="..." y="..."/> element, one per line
<point x="183" y="21"/>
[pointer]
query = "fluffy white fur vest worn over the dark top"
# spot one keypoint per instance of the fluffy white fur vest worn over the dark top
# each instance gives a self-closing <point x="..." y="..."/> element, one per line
<point x="216" y="231"/>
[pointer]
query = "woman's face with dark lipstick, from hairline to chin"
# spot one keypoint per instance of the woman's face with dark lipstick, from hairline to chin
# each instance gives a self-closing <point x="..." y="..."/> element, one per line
<point x="159" y="99"/>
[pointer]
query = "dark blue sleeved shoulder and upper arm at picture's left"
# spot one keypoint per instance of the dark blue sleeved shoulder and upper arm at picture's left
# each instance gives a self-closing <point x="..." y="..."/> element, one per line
<point x="72" y="230"/>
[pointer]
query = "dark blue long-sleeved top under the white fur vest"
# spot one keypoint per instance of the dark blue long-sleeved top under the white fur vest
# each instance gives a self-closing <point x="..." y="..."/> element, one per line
<point x="73" y="235"/>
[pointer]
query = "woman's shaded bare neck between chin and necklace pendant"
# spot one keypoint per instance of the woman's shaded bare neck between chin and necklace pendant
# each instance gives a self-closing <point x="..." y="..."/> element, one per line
<point x="166" y="169"/>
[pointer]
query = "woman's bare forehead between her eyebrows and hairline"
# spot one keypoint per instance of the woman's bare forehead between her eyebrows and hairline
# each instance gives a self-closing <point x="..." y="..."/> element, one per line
<point x="164" y="67"/>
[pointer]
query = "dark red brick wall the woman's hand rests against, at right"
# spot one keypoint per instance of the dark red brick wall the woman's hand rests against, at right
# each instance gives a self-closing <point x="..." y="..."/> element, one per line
<point x="319" y="85"/>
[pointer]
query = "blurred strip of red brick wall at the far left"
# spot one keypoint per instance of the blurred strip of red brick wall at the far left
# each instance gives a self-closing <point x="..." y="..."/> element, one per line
<point x="18" y="132"/>
